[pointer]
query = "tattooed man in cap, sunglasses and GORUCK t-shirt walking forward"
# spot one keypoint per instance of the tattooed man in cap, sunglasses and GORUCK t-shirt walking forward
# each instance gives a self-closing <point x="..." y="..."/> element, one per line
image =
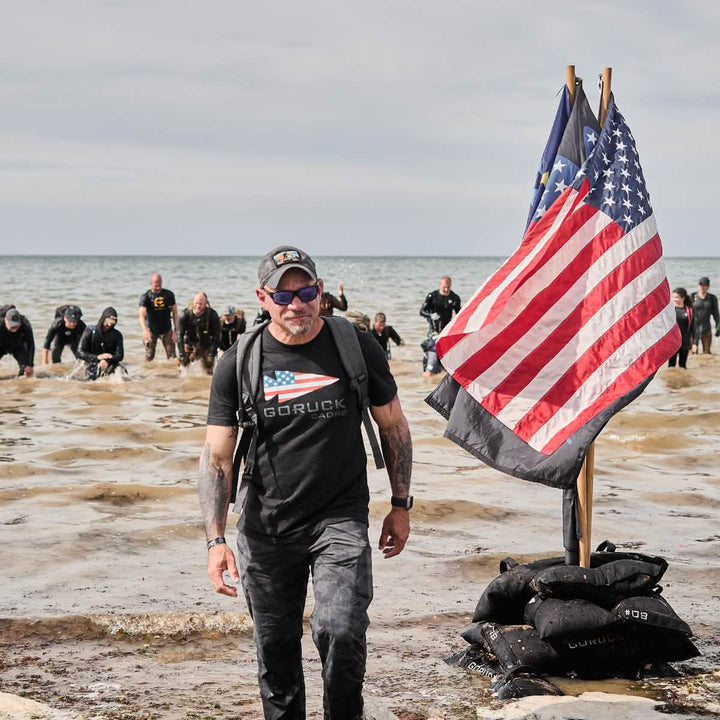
<point x="304" y="497"/>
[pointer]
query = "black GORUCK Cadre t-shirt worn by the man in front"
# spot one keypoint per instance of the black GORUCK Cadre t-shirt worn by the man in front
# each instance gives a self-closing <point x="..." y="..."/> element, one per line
<point x="310" y="462"/>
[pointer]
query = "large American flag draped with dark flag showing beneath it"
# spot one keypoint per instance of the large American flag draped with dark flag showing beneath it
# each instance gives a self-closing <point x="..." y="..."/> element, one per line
<point x="573" y="325"/>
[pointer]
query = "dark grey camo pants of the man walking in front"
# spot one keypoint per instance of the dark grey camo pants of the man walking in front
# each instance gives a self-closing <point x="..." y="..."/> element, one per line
<point x="274" y="577"/>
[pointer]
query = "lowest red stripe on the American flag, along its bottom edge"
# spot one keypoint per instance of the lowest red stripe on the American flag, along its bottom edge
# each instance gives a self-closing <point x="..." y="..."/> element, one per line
<point x="640" y="370"/>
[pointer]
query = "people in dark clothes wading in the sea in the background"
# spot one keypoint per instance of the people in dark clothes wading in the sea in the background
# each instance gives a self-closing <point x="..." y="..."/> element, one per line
<point x="199" y="334"/>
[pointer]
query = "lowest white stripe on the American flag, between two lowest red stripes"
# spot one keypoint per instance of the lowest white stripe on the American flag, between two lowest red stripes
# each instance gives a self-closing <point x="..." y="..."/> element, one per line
<point x="604" y="376"/>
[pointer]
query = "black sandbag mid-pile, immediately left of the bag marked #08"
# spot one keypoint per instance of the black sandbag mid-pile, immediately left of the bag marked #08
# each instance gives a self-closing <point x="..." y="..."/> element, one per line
<point x="554" y="618"/>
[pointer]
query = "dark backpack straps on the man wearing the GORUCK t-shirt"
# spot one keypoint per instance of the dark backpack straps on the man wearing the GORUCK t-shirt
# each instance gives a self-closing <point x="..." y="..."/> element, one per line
<point x="248" y="368"/>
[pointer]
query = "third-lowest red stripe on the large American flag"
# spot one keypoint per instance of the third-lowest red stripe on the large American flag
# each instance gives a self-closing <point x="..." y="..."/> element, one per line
<point x="535" y="361"/>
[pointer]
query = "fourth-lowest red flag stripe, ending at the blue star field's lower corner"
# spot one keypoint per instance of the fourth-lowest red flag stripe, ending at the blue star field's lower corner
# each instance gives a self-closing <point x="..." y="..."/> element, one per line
<point x="536" y="308"/>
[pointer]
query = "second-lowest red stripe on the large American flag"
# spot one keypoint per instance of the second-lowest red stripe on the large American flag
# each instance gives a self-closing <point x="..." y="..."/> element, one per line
<point x="626" y="326"/>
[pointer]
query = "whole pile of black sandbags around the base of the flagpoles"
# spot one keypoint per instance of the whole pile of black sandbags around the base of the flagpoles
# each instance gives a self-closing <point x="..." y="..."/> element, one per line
<point x="549" y="618"/>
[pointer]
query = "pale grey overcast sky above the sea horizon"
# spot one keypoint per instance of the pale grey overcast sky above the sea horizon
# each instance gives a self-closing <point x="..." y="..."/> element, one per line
<point x="377" y="127"/>
